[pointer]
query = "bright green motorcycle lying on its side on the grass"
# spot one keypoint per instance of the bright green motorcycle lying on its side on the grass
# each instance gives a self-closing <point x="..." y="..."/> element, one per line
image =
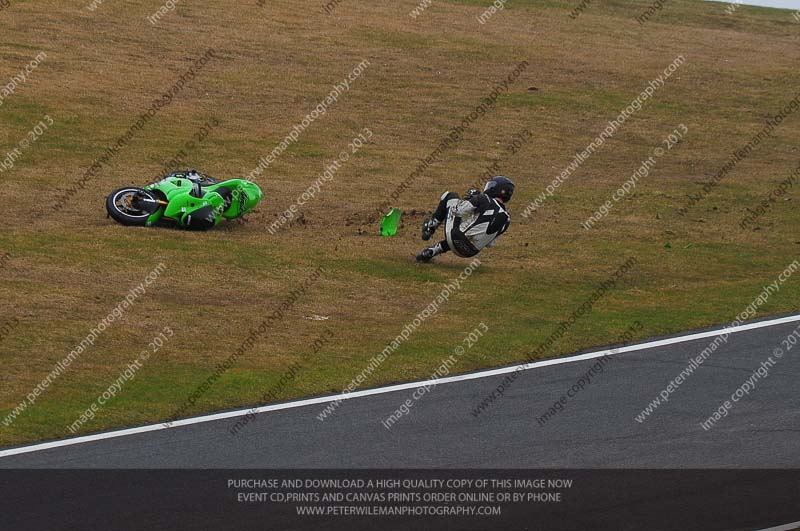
<point x="188" y="199"/>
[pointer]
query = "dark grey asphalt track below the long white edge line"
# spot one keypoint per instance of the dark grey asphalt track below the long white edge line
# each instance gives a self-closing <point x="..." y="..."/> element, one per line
<point x="595" y="429"/>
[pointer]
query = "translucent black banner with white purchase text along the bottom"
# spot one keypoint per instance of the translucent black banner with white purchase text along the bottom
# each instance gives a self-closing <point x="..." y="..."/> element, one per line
<point x="685" y="500"/>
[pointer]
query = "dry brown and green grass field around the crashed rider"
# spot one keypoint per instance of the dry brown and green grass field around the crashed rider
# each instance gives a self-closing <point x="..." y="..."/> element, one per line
<point x="273" y="65"/>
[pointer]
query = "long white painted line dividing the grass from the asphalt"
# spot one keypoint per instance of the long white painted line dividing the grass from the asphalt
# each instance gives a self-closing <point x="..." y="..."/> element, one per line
<point x="398" y="387"/>
